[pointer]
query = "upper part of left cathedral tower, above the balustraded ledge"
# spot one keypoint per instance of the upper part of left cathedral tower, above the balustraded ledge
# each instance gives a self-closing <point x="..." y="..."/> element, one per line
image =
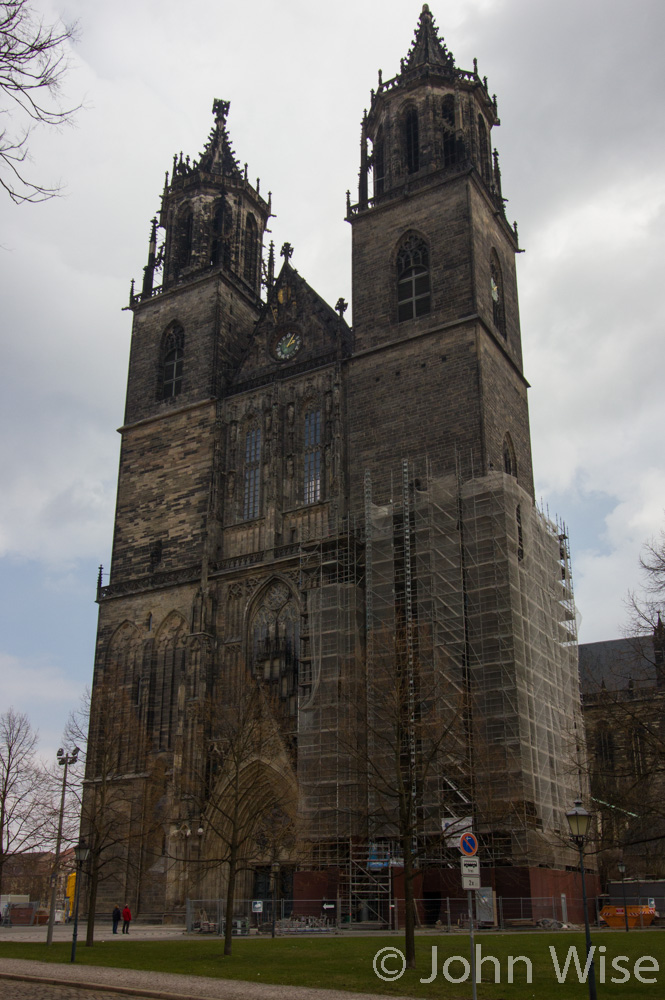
<point x="188" y="336"/>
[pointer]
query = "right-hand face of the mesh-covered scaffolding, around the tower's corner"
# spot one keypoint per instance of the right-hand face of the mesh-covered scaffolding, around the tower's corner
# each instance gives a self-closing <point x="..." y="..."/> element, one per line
<point x="523" y="668"/>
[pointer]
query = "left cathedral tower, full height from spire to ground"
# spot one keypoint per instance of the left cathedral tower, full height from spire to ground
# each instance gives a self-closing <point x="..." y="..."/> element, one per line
<point x="155" y="654"/>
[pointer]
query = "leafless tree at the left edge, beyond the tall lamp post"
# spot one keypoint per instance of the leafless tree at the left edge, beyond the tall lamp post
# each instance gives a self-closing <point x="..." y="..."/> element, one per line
<point x="26" y="812"/>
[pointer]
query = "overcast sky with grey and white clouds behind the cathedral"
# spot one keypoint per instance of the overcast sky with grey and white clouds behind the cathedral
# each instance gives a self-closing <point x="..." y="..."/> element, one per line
<point x="579" y="85"/>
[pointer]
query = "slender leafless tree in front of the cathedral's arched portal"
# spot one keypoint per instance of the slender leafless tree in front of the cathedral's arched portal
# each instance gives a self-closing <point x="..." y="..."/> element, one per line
<point x="248" y="782"/>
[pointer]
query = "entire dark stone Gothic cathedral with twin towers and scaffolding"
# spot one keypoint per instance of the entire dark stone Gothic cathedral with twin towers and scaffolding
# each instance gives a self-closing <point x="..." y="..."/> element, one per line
<point x="326" y="537"/>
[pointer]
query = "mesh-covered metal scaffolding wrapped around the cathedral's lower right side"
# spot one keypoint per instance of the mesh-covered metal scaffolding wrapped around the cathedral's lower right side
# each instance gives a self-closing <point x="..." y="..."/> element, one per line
<point x="463" y="591"/>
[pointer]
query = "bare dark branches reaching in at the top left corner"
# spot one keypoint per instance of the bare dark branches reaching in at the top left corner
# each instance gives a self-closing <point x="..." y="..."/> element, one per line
<point x="32" y="67"/>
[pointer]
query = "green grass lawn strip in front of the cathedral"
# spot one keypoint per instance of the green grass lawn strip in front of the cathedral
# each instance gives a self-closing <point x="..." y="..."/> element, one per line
<point x="345" y="963"/>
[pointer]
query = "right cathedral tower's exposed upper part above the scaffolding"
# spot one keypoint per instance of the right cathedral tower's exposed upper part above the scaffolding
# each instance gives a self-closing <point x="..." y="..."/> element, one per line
<point x="434" y="288"/>
